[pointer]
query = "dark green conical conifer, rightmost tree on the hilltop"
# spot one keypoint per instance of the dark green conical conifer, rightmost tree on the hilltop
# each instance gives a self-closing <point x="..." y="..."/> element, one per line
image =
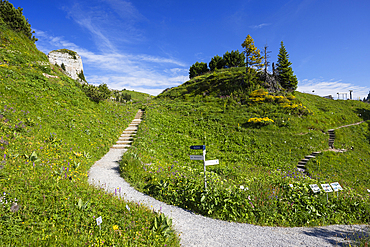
<point x="284" y="70"/>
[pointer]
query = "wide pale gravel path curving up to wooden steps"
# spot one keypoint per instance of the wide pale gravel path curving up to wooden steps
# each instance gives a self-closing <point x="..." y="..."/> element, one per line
<point x="197" y="230"/>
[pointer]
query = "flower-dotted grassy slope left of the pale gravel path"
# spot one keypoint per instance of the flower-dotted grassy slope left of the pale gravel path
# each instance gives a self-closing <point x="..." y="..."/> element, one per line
<point x="50" y="135"/>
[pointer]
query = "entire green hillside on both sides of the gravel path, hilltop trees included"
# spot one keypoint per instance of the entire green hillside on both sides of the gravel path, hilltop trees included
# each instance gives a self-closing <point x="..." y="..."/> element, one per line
<point x="271" y="142"/>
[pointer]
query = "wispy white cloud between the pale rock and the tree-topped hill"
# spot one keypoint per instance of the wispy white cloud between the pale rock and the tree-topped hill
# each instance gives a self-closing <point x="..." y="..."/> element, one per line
<point x="139" y="72"/>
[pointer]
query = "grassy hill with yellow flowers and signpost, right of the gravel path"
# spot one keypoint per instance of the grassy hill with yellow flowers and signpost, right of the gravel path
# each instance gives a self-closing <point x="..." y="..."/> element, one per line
<point x="259" y="139"/>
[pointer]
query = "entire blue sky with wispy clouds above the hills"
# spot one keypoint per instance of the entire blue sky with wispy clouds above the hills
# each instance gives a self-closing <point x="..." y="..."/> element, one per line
<point x="148" y="46"/>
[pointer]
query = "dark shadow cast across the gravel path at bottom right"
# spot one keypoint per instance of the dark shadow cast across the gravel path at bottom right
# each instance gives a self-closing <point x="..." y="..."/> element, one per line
<point x="341" y="237"/>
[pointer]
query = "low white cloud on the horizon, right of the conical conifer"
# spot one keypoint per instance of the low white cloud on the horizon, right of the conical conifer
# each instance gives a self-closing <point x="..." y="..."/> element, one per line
<point x="331" y="87"/>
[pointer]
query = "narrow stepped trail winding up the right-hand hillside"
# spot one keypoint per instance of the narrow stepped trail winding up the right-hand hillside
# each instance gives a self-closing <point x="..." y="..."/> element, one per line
<point x="302" y="163"/>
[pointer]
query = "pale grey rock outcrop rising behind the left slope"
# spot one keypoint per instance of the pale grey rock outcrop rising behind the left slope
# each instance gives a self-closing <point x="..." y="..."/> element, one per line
<point x="70" y="59"/>
